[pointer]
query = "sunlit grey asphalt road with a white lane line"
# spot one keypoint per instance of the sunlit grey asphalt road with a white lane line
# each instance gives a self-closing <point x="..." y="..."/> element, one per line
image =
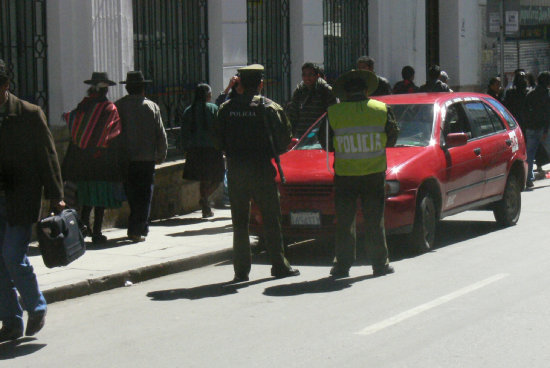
<point x="480" y="299"/>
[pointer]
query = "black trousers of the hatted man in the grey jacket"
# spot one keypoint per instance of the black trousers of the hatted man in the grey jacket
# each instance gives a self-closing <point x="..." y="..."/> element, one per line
<point x="139" y="191"/>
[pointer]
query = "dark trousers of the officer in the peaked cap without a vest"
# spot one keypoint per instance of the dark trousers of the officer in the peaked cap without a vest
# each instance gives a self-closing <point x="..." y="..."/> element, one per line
<point x="248" y="182"/>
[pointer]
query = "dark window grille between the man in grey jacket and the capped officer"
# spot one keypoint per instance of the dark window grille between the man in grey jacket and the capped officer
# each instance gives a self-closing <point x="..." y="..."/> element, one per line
<point x="171" y="48"/>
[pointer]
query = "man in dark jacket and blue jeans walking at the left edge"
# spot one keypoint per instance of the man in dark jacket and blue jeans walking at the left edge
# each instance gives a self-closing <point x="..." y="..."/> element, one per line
<point x="28" y="166"/>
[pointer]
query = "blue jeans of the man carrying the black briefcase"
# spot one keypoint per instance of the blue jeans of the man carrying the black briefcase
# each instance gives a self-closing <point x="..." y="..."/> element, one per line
<point x="16" y="272"/>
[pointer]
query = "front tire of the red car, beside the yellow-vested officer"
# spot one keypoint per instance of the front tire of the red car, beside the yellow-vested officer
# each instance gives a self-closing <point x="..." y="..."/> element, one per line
<point x="423" y="234"/>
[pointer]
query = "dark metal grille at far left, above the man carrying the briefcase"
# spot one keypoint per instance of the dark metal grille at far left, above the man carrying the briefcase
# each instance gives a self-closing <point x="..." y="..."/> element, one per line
<point x="23" y="47"/>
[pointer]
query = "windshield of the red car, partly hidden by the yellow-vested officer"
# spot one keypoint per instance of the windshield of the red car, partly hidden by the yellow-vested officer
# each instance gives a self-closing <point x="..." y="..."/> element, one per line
<point x="415" y="127"/>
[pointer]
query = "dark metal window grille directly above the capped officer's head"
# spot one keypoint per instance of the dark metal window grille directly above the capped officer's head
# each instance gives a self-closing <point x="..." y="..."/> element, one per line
<point x="269" y="44"/>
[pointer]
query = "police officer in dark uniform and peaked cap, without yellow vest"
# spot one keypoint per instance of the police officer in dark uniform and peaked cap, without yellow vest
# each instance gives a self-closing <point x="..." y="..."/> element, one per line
<point x="244" y="138"/>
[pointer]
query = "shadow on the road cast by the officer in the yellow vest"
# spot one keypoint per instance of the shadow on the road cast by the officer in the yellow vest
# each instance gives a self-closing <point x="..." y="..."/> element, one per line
<point x="324" y="285"/>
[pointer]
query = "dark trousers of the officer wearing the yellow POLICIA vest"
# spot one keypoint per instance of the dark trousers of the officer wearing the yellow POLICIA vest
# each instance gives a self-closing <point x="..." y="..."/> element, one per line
<point x="370" y="191"/>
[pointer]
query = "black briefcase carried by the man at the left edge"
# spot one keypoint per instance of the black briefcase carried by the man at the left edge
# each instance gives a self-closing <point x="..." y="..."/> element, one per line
<point x="60" y="239"/>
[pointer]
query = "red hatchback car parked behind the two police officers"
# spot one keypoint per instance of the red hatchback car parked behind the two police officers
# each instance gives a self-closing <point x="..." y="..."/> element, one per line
<point x="455" y="152"/>
